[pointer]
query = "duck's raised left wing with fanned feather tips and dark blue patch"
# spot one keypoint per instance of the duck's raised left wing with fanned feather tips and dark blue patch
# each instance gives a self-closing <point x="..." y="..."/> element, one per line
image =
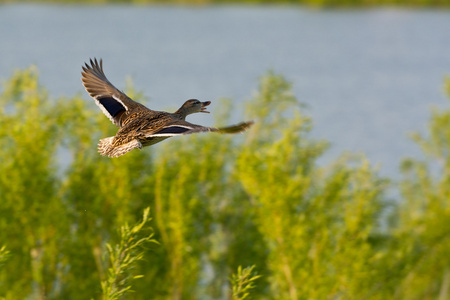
<point x="113" y="103"/>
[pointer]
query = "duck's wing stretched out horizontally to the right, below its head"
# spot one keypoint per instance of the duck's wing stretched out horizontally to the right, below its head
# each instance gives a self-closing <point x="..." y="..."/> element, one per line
<point x="183" y="127"/>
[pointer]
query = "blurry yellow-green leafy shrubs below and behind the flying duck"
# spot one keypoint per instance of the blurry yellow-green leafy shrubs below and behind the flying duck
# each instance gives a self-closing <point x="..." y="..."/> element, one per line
<point x="233" y="217"/>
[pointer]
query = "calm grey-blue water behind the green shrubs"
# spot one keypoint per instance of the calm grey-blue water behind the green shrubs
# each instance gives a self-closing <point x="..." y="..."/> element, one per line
<point x="368" y="77"/>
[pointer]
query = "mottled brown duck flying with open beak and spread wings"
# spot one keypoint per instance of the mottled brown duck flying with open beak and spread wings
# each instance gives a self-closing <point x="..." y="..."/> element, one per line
<point x="138" y="125"/>
